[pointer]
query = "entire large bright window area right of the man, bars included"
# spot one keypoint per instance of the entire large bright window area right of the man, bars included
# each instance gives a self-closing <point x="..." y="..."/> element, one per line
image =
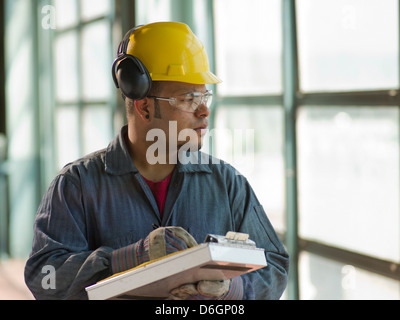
<point x="343" y="89"/>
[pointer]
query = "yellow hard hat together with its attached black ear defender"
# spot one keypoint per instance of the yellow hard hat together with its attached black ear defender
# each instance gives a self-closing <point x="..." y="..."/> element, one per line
<point x="160" y="51"/>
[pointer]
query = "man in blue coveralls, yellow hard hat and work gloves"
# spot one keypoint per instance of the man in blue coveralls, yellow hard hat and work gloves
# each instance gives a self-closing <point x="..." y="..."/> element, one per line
<point x="131" y="203"/>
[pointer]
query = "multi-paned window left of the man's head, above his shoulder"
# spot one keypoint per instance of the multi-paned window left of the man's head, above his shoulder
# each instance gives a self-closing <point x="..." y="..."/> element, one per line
<point x="83" y="55"/>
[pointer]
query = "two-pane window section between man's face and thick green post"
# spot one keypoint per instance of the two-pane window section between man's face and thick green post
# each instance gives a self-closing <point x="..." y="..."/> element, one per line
<point x="249" y="115"/>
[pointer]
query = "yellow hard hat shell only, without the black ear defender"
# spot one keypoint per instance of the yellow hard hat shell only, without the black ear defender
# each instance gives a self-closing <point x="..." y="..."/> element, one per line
<point x="171" y="52"/>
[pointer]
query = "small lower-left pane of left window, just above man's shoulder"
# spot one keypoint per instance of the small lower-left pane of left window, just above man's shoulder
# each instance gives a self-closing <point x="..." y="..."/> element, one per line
<point x="67" y="135"/>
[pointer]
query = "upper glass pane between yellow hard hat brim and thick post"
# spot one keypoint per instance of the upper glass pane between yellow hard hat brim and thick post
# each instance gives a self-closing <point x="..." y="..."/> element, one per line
<point x="248" y="46"/>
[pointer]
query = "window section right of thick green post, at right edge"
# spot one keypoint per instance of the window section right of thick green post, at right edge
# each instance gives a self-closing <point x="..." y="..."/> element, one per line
<point x="348" y="149"/>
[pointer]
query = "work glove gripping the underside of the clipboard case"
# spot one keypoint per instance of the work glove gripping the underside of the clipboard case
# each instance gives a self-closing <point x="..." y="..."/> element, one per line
<point x="210" y="290"/>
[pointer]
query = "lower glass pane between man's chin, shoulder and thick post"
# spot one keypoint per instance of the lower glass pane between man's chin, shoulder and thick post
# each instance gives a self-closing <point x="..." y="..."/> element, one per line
<point x="251" y="139"/>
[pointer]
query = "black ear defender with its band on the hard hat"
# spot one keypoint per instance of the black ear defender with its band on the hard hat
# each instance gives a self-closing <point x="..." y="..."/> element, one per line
<point x="129" y="73"/>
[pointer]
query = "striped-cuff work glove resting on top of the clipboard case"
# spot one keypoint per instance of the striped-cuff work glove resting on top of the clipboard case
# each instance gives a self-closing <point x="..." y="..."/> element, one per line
<point x="159" y="243"/>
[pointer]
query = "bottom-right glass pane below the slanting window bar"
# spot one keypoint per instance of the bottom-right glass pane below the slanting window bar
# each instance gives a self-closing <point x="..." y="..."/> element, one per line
<point x="324" y="279"/>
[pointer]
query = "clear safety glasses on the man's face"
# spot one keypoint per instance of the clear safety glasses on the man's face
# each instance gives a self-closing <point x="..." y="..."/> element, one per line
<point x="189" y="102"/>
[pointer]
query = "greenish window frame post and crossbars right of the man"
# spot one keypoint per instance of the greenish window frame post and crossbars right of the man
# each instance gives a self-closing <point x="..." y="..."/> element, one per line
<point x="291" y="100"/>
